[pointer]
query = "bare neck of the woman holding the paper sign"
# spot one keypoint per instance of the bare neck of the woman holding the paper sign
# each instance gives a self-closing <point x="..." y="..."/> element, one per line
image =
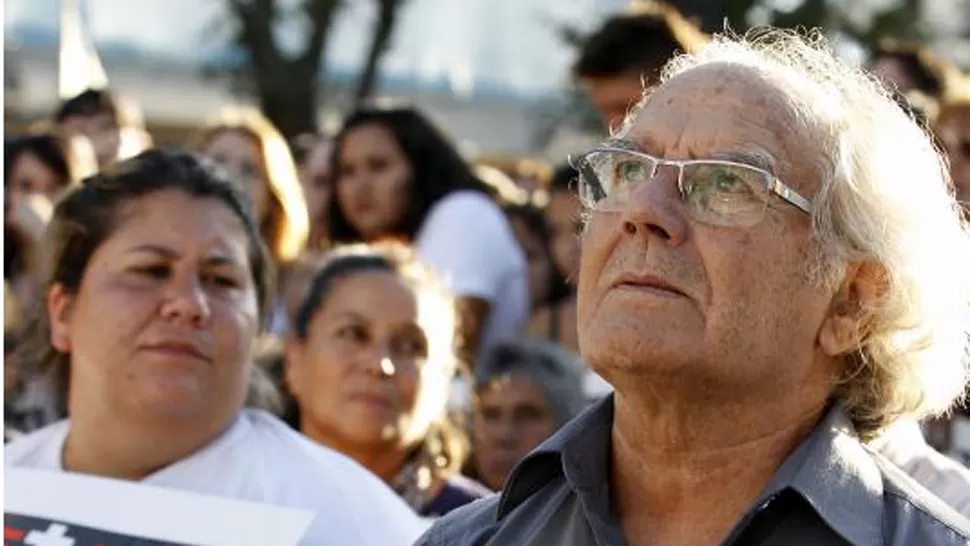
<point x="133" y="451"/>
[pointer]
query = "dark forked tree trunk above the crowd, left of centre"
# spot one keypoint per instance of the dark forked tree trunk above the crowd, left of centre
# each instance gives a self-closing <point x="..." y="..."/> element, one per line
<point x="289" y="87"/>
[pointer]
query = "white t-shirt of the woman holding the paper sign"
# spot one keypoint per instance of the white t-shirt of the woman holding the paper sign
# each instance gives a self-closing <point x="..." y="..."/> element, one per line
<point x="260" y="459"/>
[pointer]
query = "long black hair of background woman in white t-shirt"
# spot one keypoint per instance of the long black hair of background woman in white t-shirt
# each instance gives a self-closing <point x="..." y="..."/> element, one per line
<point x="436" y="168"/>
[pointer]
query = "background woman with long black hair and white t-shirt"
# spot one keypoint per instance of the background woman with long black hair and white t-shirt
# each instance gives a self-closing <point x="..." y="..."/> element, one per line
<point x="397" y="177"/>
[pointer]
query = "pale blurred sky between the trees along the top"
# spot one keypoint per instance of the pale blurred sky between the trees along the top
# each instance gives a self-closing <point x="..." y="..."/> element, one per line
<point x="509" y="44"/>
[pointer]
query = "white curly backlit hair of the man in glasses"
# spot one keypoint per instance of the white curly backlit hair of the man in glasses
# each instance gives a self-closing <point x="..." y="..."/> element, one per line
<point x="885" y="198"/>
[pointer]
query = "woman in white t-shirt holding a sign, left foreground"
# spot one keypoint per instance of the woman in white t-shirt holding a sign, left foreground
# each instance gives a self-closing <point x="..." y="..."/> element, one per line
<point x="156" y="287"/>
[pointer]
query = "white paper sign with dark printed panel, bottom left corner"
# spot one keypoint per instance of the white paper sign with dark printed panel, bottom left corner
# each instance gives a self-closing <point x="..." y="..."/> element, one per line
<point x="44" y="508"/>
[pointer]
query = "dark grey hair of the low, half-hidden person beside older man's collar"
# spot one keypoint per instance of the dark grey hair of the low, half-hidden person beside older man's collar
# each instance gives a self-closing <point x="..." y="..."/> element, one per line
<point x="556" y="371"/>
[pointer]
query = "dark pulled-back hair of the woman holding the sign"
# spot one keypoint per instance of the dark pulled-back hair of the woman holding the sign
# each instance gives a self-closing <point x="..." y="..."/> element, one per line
<point x="89" y="214"/>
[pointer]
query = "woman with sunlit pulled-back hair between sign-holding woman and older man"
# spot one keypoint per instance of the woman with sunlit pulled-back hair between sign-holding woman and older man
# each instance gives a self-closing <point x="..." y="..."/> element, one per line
<point x="370" y="366"/>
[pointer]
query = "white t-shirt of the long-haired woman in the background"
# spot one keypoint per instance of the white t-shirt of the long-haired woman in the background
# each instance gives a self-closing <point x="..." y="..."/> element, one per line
<point x="467" y="241"/>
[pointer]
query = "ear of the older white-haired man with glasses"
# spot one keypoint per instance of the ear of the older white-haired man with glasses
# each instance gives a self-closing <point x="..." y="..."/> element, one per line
<point x="849" y="315"/>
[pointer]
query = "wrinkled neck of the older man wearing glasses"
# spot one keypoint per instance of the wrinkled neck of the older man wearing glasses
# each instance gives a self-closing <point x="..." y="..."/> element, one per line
<point x="686" y="470"/>
